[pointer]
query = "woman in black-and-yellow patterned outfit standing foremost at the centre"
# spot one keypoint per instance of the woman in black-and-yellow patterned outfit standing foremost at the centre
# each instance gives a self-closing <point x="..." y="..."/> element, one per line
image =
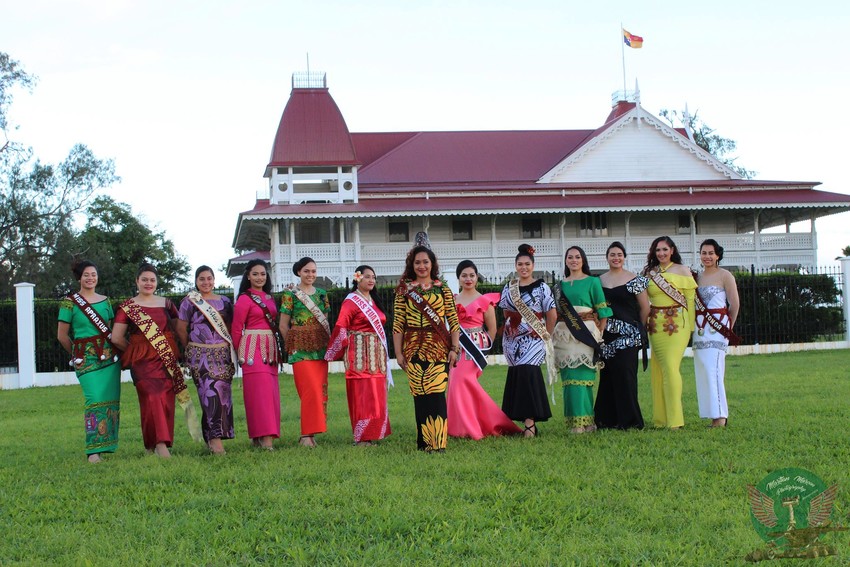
<point x="423" y="350"/>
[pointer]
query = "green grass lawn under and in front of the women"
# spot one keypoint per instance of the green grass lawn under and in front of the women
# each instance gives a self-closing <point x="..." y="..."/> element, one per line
<point x="652" y="497"/>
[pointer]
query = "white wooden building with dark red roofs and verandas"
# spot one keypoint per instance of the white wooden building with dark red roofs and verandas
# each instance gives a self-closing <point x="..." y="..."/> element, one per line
<point x="347" y="198"/>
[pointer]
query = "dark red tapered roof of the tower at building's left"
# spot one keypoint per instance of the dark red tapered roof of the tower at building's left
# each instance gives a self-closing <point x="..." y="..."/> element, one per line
<point x="312" y="131"/>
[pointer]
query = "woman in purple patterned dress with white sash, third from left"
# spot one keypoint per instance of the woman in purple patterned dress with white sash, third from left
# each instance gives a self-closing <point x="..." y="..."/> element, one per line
<point x="203" y="327"/>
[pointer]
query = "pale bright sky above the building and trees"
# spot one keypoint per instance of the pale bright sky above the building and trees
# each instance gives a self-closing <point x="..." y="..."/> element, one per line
<point x="186" y="96"/>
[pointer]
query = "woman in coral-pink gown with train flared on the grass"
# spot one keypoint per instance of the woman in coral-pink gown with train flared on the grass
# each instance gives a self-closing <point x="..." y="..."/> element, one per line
<point x="471" y="411"/>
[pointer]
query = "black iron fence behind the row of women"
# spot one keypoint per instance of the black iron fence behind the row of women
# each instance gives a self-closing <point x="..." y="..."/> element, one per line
<point x="776" y="307"/>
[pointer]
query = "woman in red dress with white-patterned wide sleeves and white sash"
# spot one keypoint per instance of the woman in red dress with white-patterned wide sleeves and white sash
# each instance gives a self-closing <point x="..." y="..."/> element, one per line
<point x="360" y="340"/>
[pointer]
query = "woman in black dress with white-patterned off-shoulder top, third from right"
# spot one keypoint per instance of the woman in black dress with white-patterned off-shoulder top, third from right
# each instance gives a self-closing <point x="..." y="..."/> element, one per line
<point x="625" y="334"/>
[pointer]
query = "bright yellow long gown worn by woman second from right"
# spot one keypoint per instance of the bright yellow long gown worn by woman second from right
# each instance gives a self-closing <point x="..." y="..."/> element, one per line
<point x="670" y="328"/>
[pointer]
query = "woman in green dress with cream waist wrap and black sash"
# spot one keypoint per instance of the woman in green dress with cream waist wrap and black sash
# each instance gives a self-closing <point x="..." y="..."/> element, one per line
<point x="582" y="302"/>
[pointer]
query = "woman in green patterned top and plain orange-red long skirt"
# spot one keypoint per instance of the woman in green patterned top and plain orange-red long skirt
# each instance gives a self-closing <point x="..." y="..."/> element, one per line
<point x="306" y="337"/>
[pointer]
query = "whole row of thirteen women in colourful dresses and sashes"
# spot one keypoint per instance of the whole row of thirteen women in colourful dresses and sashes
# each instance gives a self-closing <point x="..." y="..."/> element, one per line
<point x="589" y="325"/>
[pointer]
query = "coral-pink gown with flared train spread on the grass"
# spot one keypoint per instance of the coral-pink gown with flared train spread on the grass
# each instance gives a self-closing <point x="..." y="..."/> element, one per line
<point x="472" y="412"/>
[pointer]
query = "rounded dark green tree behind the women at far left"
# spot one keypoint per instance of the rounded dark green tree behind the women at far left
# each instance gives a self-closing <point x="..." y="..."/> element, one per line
<point x="118" y="242"/>
